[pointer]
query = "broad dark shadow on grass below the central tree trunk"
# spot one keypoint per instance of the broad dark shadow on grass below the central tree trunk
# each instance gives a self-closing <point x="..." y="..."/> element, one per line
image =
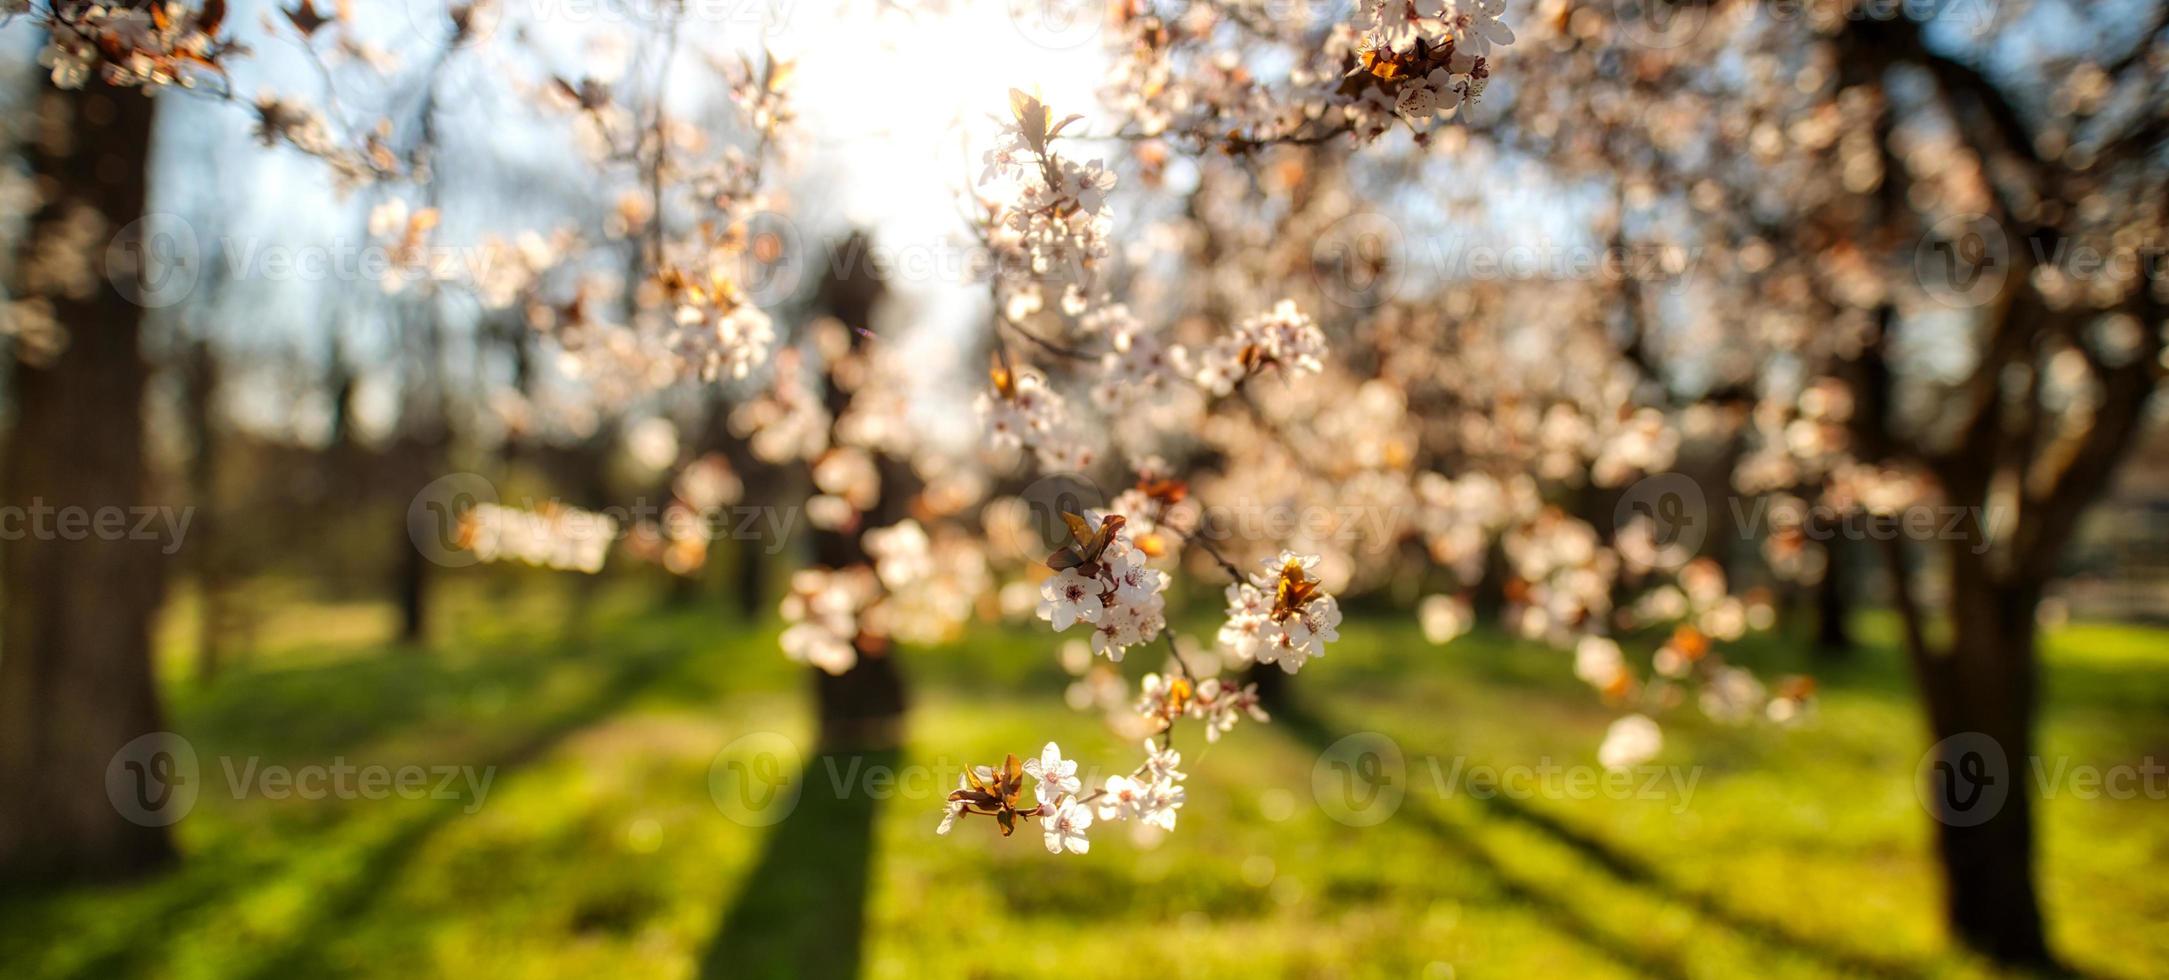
<point x="801" y="914"/>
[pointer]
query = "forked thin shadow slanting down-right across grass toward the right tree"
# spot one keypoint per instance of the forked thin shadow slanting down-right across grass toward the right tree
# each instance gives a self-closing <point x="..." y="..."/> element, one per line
<point x="1626" y="868"/>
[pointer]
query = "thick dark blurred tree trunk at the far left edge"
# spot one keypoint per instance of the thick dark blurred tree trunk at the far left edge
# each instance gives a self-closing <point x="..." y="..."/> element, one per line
<point x="77" y="660"/>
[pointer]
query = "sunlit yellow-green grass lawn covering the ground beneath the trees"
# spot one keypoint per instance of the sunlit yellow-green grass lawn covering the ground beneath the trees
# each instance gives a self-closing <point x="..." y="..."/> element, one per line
<point x="600" y="849"/>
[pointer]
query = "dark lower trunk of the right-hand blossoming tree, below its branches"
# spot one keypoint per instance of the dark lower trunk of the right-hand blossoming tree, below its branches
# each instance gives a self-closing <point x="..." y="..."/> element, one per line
<point x="1981" y="710"/>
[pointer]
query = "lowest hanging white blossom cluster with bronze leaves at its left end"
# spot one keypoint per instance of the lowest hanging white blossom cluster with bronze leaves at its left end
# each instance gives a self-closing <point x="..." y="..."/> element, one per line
<point x="1151" y="797"/>
